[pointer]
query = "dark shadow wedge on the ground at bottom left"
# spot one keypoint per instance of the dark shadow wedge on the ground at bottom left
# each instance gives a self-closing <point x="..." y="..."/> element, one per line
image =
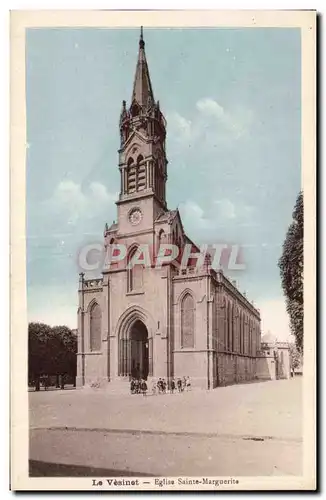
<point x="48" y="469"/>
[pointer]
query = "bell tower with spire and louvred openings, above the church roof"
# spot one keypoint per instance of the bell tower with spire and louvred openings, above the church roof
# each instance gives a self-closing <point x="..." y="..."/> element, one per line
<point x="142" y="156"/>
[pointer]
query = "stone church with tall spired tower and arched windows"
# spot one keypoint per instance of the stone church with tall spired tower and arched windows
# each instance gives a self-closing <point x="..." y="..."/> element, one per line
<point x="154" y="321"/>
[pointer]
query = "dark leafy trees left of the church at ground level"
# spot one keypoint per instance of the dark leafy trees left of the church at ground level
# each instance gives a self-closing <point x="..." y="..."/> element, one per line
<point x="51" y="351"/>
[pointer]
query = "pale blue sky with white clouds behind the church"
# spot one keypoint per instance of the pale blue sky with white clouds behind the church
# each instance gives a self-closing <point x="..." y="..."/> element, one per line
<point x="231" y="98"/>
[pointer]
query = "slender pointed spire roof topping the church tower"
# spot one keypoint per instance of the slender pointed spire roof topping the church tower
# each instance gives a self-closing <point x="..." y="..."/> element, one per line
<point x="142" y="91"/>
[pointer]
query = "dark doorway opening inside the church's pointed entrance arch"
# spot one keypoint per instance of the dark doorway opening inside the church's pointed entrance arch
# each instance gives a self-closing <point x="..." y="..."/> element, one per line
<point x="139" y="350"/>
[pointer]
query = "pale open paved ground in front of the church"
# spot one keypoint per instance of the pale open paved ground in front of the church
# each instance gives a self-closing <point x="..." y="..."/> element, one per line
<point x="253" y="429"/>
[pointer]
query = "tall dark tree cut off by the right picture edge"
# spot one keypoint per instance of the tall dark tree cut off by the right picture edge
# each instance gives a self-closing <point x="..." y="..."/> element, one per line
<point x="291" y="269"/>
